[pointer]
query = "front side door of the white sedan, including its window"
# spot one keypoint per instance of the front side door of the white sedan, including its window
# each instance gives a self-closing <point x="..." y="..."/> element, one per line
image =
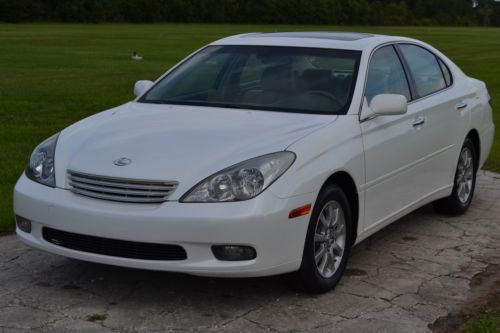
<point x="394" y="145"/>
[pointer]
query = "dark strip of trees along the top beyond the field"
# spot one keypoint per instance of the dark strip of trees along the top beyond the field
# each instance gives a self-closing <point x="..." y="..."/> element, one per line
<point x="380" y="12"/>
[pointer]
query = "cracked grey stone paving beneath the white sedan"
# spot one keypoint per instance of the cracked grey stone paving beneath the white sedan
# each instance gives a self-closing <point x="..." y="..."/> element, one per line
<point x="399" y="280"/>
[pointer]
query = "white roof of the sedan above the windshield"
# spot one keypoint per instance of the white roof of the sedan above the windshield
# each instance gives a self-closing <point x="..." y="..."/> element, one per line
<point x="321" y="39"/>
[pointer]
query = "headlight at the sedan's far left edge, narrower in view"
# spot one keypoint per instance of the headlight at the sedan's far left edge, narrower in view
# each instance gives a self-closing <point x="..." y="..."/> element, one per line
<point x="41" y="166"/>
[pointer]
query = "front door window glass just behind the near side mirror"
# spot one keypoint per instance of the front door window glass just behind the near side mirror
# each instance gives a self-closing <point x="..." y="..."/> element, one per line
<point x="386" y="75"/>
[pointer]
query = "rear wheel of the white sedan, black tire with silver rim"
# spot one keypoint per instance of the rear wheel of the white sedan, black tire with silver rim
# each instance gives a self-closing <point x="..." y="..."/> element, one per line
<point x="464" y="183"/>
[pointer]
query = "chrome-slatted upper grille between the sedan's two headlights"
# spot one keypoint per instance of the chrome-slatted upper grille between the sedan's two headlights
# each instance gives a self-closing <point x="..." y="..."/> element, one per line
<point x="120" y="189"/>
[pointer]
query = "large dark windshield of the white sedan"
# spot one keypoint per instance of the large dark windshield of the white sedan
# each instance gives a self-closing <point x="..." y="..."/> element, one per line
<point x="292" y="79"/>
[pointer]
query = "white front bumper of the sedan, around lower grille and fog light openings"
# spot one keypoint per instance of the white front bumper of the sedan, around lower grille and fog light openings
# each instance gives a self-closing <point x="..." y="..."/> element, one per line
<point x="261" y="223"/>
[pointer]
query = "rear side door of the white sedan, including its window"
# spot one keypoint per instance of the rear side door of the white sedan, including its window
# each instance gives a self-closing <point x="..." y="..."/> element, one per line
<point x="445" y="113"/>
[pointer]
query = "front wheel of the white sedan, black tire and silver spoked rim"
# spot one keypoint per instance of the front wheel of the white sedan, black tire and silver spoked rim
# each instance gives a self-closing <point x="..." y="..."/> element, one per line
<point x="334" y="242"/>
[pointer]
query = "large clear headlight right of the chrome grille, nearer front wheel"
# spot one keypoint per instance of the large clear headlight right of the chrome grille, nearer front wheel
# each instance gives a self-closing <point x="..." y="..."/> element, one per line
<point x="242" y="181"/>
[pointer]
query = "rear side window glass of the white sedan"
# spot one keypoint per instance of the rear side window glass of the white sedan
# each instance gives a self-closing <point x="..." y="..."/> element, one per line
<point x="424" y="68"/>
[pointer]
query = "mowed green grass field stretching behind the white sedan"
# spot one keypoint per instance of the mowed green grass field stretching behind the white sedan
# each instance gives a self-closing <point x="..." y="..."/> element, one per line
<point x="52" y="75"/>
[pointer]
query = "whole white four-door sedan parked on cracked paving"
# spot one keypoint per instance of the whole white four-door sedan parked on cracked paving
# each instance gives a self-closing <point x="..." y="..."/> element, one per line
<point x="261" y="154"/>
